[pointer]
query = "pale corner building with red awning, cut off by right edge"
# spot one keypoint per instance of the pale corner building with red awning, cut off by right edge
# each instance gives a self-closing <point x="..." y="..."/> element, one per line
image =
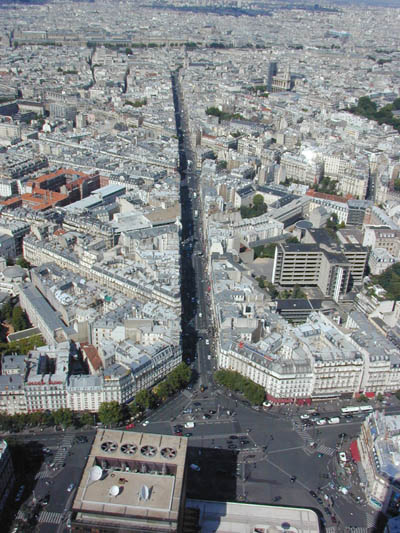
<point x="378" y="451"/>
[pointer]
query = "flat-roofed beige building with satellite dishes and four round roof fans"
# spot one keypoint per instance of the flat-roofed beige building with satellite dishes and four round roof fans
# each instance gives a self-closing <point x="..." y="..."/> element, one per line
<point x="132" y="482"/>
